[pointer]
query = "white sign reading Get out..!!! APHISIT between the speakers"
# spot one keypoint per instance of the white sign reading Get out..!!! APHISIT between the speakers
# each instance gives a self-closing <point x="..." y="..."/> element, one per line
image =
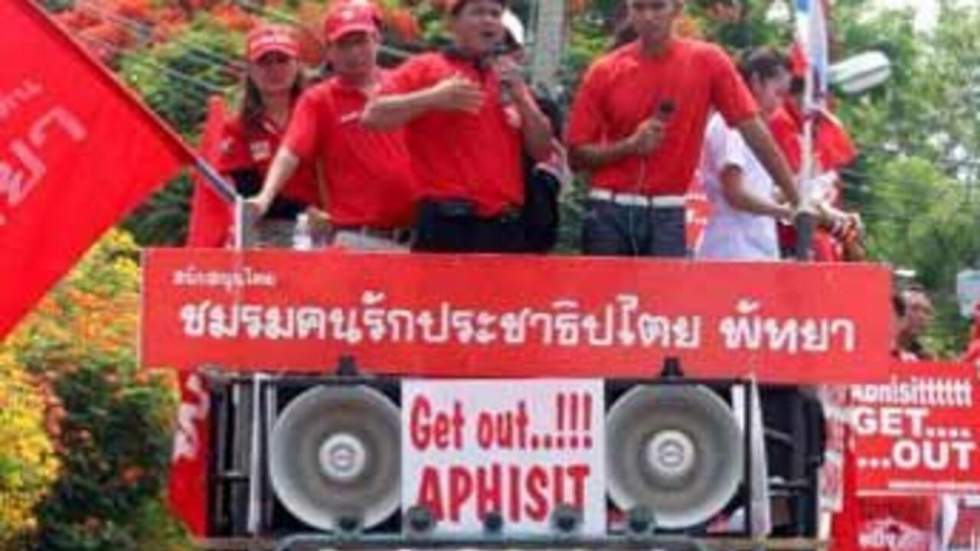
<point x="515" y="447"/>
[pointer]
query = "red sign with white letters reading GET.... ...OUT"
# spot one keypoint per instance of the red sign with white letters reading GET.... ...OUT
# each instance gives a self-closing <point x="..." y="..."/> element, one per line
<point x="918" y="433"/>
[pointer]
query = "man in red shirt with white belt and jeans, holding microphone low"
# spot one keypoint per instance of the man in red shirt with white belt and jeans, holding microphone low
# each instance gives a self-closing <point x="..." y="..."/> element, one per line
<point x="637" y="125"/>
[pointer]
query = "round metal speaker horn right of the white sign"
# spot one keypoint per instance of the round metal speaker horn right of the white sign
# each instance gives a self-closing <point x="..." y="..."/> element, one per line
<point x="676" y="450"/>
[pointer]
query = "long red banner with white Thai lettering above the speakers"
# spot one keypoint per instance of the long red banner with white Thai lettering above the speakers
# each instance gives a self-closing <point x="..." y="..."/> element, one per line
<point x="512" y="316"/>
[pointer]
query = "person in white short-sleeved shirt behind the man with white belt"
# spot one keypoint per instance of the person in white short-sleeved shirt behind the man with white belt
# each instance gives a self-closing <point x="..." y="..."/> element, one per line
<point x="743" y="196"/>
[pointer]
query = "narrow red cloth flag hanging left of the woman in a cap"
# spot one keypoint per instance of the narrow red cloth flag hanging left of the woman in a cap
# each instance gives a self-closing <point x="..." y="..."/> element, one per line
<point x="211" y="215"/>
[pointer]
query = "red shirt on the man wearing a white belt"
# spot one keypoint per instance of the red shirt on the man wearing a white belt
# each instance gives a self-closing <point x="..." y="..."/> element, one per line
<point x="624" y="88"/>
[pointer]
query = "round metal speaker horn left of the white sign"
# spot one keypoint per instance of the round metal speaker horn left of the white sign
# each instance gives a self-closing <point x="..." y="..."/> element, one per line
<point x="335" y="455"/>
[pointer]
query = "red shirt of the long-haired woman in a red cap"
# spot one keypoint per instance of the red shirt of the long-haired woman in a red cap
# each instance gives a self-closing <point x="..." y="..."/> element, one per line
<point x="253" y="148"/>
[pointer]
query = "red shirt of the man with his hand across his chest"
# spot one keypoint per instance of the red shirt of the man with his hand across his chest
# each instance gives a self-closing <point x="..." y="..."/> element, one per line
<point x="461" y="155"/>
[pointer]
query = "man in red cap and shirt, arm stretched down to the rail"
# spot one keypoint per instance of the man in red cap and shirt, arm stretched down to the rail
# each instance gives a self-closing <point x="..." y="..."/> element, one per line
<point x="366" y="174"/>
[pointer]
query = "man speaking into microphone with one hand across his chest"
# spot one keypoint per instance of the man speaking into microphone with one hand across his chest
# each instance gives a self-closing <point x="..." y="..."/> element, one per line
<point x="467" y="113"/>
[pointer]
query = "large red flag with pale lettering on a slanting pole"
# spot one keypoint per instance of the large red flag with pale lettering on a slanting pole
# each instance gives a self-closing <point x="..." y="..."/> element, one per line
<point x="77" y="151"/>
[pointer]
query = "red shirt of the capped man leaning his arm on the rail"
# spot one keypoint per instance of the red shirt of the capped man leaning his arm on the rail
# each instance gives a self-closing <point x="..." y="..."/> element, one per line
<point x="367" y="173"/>
